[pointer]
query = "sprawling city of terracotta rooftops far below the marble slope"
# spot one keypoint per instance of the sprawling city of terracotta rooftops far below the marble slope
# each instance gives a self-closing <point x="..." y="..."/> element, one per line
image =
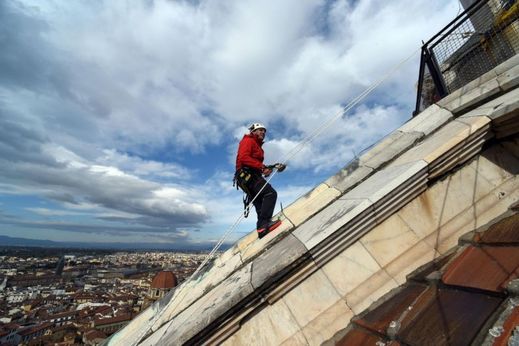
<point x="75" y="296"/>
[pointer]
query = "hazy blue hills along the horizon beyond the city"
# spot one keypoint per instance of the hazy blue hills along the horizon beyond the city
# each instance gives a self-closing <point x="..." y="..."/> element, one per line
<point x="12" y="241"/>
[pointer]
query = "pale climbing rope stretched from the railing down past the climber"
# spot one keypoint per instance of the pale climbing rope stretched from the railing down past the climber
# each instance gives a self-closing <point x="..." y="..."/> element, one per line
<point x="291" y="153"/>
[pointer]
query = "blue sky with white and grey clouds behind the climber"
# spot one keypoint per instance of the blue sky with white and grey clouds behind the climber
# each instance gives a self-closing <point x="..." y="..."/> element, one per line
<point x="119" y="119"/>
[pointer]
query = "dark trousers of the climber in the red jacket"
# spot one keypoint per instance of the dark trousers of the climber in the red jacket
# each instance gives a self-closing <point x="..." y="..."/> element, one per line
<point x="265" y="202"/>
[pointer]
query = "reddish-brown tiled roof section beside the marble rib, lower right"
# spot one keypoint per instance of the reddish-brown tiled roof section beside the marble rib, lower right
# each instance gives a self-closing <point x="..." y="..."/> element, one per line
<point x="456" y="300"/>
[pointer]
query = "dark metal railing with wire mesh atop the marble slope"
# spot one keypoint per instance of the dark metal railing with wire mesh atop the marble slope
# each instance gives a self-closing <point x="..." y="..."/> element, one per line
<point x="476" y="41"/>
